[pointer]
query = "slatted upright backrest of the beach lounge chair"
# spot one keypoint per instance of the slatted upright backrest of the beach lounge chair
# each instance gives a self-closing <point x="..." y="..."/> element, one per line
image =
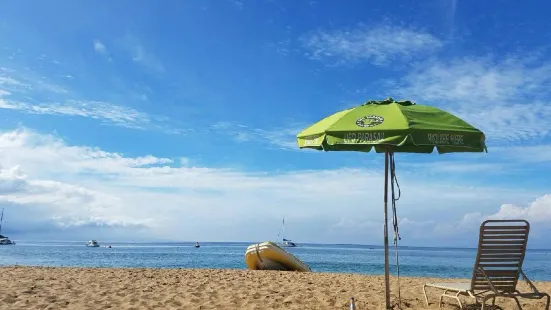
<point x="501" y="249"/>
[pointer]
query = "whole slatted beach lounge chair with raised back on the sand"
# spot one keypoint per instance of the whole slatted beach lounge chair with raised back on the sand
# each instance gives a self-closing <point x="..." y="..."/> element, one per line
<point x="498" y="266"/>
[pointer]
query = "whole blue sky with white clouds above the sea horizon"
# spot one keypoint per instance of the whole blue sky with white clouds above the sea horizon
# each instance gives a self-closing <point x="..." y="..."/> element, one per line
<point x="176" y="121"/>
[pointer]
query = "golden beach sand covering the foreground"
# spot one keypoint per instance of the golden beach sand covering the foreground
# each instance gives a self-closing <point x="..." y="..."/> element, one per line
<point x="105" y="288"/>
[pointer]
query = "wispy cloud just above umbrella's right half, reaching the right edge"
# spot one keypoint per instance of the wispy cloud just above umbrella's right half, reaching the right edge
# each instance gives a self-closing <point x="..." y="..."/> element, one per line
<point x="479" y="81"/>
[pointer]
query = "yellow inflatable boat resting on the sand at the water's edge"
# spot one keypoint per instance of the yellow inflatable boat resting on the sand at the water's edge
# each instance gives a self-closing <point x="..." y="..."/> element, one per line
<point x="270" y="256"/>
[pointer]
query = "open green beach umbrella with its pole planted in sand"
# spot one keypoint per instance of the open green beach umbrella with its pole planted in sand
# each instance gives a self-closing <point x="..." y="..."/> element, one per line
<point x="391" y="126"/>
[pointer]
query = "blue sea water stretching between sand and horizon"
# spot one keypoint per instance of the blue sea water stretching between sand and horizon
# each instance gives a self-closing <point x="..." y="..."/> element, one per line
<point x="414" y="261"/>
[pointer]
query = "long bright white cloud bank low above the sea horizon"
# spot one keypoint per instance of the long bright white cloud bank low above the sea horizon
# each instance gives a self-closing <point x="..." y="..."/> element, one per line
<point x="79" y="185"/>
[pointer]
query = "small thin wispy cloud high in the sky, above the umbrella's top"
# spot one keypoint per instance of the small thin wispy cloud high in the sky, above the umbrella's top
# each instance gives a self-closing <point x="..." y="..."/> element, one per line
<point x="378" y="44"/>
